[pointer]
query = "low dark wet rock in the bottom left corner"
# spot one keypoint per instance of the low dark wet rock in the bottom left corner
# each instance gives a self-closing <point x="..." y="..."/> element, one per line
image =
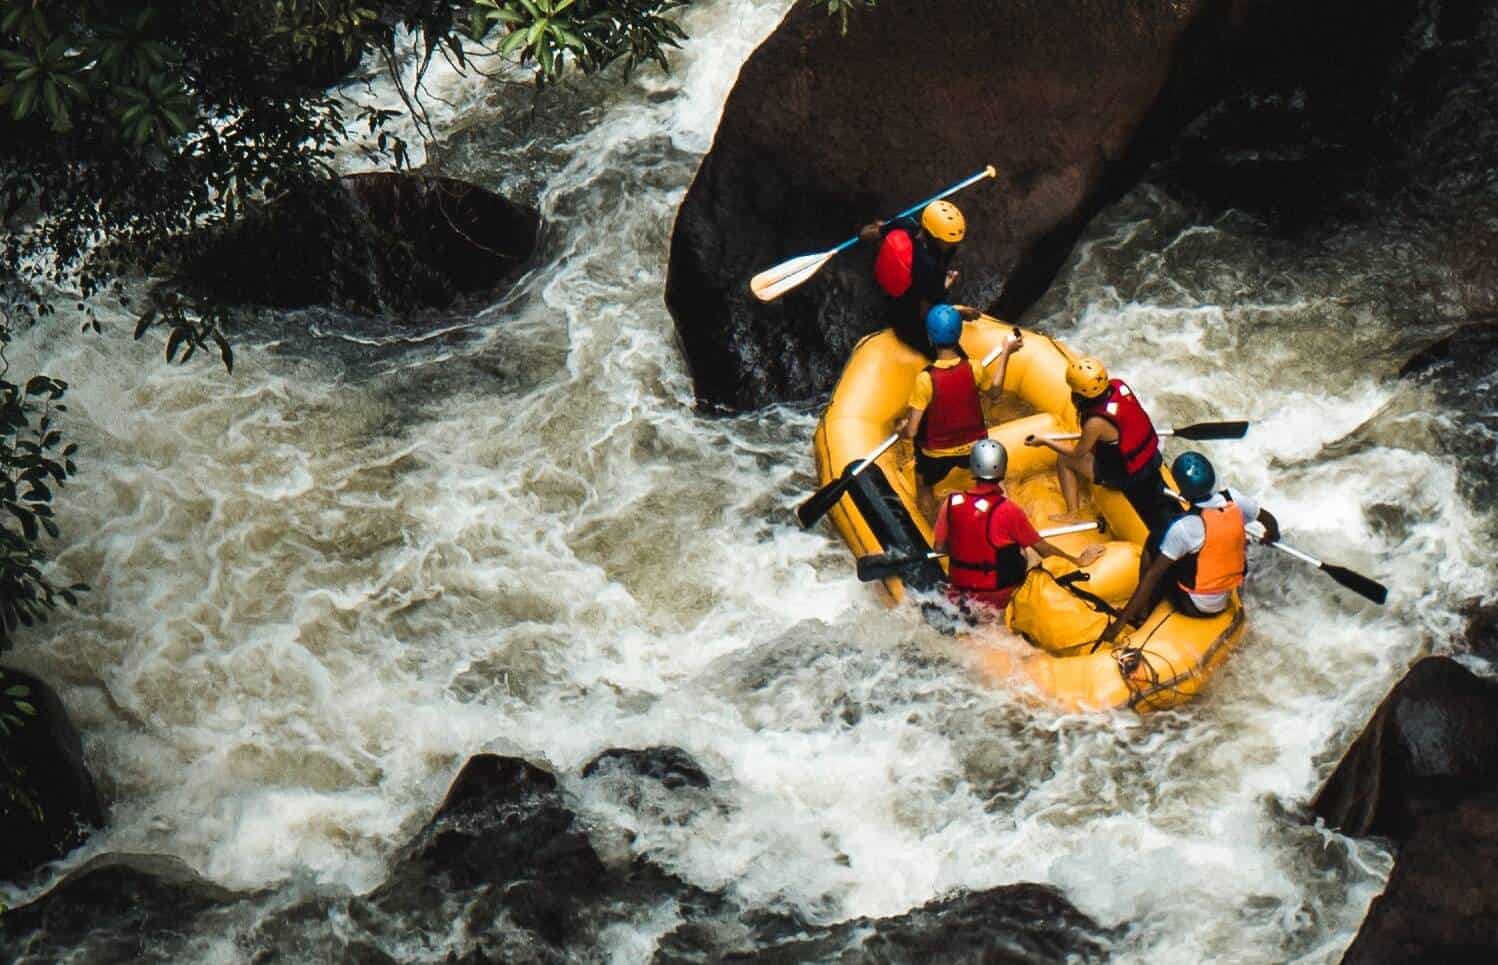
<point x="118" y="909"/>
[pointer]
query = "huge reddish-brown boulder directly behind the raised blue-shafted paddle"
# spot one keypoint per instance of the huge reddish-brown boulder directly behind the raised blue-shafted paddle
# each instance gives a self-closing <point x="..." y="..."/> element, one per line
<point x="825" y="133"/>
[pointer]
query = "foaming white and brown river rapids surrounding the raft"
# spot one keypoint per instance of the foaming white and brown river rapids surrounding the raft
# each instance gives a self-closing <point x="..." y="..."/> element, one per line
<point x="326" y="582"/>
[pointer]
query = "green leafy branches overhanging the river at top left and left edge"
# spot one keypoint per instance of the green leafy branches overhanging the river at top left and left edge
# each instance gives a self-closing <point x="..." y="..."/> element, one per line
<point x="128" y="130"/>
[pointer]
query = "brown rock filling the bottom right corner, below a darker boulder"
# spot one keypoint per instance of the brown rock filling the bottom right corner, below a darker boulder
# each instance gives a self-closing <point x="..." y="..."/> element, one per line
<point x="1440" y="903"/>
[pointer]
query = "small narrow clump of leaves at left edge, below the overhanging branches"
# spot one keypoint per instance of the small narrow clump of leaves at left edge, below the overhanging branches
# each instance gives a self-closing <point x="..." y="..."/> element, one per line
<point x="34" y="459"/>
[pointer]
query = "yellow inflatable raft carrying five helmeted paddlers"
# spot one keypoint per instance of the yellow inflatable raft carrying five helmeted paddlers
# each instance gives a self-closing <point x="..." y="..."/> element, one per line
<point x="1162" y="665"/>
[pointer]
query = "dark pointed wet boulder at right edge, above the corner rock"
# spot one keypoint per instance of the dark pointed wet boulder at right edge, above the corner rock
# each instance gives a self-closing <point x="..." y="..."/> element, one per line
<point x="1431" y="744"/>
